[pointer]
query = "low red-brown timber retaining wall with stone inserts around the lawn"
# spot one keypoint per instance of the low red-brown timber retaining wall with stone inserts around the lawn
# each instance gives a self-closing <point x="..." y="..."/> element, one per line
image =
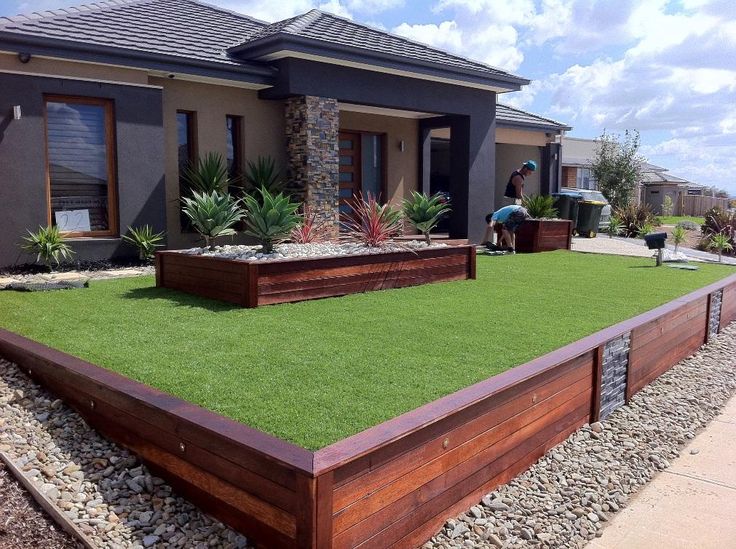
<point x="394" y="484"/>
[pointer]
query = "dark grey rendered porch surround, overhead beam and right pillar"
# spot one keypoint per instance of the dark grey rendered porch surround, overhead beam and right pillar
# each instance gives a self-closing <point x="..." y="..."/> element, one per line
<point x="471" y="115"/>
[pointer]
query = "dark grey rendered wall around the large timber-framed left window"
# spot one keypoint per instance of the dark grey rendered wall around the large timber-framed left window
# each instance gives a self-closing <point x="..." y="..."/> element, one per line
<point x="140" y="161"/>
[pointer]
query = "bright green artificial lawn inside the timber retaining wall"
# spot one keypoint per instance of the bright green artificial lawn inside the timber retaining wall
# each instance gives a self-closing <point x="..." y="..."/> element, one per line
<point x="318" y="371"/>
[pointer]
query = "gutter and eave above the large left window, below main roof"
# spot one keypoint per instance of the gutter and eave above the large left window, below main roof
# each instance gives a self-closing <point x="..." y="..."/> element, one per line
<point x="80" y="51"/>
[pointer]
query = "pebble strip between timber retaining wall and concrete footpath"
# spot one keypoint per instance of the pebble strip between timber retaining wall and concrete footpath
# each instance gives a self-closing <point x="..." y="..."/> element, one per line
<point x="566" y="498"/>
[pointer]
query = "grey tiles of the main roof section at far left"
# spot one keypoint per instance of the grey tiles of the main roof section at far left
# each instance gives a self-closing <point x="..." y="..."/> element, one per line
<point x="182" y="28"/>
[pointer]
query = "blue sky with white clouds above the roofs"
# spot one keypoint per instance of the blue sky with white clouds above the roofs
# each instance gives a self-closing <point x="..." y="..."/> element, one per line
<point x="666" y="68"/>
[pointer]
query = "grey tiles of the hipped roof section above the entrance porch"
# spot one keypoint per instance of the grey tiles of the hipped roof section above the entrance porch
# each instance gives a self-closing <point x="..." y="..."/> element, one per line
<point x="334" y="30"/>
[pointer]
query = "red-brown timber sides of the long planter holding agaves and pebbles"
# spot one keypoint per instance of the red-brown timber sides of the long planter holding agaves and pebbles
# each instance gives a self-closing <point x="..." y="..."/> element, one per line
<point x="255" y="283"/>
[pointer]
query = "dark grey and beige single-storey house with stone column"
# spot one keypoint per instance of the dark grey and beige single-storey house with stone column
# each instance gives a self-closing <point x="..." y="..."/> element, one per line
<point x="103" y="105"/>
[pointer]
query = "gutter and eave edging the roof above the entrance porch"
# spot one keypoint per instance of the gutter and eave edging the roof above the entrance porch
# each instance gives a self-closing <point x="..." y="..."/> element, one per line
<point x="270" y="45"/>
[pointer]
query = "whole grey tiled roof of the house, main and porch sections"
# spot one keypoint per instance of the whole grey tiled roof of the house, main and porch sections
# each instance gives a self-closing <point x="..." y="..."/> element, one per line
<point x="189" y="31"/>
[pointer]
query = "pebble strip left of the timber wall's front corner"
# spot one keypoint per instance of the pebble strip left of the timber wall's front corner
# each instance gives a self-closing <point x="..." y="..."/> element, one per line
<point x="103" y="489"/>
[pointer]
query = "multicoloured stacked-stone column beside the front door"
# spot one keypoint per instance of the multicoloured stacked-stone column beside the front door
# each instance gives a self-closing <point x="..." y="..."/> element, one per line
<point x="312" y="133"/>
